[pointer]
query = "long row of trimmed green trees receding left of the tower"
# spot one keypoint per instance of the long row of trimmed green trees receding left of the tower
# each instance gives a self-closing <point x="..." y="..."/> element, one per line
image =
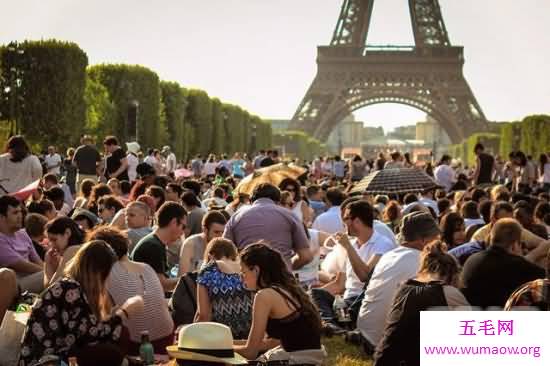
<point x="55" y="98"/>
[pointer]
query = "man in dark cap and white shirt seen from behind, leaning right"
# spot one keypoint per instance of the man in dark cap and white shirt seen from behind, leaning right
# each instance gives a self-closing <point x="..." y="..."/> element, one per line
<point x="396" y="266"/>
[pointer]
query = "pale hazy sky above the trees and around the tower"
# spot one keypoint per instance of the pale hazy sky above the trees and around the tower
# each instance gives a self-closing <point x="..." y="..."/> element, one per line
<point x="260" y="54"/>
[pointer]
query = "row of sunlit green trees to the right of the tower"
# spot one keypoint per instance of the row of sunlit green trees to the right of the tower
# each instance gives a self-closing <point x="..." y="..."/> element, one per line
<point x="531" y="135"/>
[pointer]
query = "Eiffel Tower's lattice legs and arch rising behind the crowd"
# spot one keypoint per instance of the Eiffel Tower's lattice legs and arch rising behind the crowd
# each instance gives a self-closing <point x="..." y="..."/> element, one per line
<point x="427" y="76"/>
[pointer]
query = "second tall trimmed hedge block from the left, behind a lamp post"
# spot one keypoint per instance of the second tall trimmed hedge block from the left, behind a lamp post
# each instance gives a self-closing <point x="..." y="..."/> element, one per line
<point x="126" y="83"/>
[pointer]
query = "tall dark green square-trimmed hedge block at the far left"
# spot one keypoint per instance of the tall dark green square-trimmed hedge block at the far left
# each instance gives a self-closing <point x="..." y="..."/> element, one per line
<point x="51" y="108"/>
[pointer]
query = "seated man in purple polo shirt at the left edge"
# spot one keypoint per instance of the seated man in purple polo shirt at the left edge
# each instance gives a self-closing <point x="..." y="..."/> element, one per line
<point x="16" y="249"/>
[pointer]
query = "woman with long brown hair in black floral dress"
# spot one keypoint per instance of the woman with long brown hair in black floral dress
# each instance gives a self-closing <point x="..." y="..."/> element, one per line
<point x="73" y="317"/>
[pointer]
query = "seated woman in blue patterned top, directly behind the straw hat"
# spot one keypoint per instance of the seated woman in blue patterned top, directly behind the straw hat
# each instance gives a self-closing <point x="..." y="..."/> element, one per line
<point x="221" y="295"/>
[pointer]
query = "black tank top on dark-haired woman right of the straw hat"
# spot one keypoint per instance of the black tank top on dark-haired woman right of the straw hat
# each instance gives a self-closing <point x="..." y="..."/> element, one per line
<point x="294" y="331"/>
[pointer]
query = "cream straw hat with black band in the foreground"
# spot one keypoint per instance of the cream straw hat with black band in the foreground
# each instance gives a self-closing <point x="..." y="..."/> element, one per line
<point x="206" y="341"/>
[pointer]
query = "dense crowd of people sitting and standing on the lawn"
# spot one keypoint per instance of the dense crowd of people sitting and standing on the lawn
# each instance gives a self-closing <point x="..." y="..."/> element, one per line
<point x="113" y="243"/>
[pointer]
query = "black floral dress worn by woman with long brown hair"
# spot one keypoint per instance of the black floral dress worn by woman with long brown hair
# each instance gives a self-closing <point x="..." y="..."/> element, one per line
<point x="61" y="320"/>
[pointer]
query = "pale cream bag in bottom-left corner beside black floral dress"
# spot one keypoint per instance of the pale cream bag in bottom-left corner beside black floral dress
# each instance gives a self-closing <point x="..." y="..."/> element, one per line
<point x="11" y="335"/>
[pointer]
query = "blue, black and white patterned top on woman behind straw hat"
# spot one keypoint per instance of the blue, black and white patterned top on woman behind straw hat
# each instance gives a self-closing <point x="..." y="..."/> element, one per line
<point x="231" y="302"/>
